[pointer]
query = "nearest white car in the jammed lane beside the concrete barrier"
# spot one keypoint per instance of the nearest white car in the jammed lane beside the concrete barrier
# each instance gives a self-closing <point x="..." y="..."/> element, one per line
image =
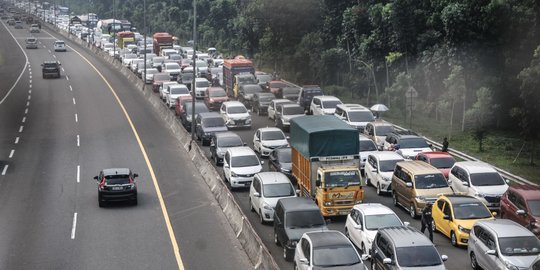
<point x="265" y="190"/>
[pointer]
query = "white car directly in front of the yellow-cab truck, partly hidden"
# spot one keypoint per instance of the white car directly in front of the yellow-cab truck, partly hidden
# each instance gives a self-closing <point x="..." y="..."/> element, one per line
<point x="365" y="220"/>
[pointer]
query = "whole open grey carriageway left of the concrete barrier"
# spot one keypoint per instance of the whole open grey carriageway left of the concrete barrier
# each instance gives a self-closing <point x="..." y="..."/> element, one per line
<point x="56" y="134"/>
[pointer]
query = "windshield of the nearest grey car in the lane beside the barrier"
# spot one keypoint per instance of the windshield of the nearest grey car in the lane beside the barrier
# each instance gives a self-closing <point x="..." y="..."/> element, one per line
<point x="339" y="255"/>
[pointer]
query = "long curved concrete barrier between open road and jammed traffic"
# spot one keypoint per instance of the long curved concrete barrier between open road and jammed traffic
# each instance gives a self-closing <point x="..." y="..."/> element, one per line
<point x="255" y="249"/>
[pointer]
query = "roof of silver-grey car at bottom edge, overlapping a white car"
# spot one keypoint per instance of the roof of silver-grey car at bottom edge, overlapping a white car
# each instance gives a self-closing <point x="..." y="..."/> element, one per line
<point x="404" y="236"/>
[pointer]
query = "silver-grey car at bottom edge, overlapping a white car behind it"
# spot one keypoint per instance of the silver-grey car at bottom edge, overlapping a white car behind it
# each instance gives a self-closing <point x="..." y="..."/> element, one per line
<point x="404" y="247"/>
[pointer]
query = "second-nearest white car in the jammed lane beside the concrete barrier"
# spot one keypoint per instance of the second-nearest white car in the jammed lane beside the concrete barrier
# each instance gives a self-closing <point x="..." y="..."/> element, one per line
<point x="240" y="164"/>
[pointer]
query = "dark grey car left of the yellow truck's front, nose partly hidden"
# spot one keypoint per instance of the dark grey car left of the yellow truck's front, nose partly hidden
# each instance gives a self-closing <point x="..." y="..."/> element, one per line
<point x="292" y="218"/>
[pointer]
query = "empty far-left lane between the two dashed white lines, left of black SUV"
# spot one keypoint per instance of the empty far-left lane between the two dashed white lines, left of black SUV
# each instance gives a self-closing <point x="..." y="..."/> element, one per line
<point x="39" y="197"/>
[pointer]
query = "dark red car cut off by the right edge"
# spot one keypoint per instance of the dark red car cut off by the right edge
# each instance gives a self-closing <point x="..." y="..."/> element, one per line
<point x="521" y="203"/>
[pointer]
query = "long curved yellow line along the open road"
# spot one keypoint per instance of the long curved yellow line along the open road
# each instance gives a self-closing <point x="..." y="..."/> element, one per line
<point x="176" y="249"/>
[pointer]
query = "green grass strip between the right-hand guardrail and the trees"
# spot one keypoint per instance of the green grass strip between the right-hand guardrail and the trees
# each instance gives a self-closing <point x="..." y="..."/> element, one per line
<point x="500" y="148"/>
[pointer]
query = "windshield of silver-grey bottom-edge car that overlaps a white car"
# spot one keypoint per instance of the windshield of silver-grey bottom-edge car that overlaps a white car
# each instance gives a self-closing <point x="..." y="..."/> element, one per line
<point x="418" y="256"/>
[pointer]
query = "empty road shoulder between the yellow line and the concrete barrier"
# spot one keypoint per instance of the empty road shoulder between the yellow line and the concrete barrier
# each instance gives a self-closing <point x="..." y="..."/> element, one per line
<point x="198" y="222"/>
